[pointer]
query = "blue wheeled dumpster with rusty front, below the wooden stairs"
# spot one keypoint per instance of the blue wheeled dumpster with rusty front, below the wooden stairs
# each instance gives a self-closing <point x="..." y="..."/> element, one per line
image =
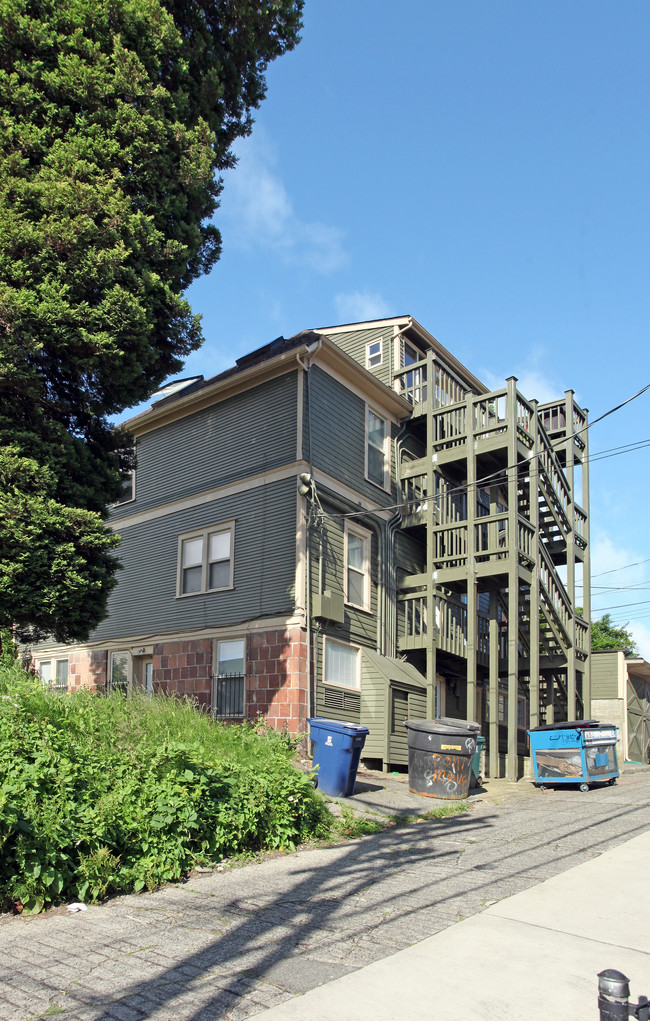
<point x="581" y="752"/>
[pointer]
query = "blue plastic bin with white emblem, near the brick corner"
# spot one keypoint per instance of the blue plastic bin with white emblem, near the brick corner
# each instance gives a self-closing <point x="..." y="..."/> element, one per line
<point x="337" y="750"/>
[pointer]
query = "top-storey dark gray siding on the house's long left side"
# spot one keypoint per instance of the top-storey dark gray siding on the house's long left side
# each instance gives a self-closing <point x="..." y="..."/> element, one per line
<point x="252" y="432"/>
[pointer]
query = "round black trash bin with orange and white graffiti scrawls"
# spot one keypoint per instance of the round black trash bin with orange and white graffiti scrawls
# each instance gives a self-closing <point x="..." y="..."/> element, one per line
<point x="440" y="755"/>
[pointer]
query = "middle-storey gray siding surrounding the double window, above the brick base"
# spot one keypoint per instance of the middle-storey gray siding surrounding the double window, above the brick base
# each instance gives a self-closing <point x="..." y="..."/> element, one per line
<point x="145" y="601"/>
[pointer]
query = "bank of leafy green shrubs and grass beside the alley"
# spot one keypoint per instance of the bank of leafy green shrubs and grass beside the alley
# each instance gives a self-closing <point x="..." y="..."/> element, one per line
<point x="101" y="795"/>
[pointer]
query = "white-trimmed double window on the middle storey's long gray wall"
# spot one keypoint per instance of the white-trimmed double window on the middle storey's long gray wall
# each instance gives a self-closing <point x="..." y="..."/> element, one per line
<point x="207" y="561"/>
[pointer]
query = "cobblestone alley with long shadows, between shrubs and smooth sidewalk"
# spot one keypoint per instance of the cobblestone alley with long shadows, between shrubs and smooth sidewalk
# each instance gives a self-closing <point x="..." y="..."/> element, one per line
<point x="231" y="944"/>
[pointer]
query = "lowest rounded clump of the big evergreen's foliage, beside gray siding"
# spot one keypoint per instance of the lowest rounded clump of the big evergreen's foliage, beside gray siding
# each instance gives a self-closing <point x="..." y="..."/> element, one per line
<point x="57" y="569"/>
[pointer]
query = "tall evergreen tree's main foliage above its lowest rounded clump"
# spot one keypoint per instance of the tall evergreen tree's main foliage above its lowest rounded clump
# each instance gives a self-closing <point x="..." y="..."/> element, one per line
<point x="116" y="119"/>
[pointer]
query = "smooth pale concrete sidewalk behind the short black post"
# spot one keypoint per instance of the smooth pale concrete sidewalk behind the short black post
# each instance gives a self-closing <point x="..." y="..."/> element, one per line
<point x="535" y="955"/>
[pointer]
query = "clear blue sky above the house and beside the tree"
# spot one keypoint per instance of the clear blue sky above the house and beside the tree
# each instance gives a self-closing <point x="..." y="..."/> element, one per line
<point x="484" y="168"/>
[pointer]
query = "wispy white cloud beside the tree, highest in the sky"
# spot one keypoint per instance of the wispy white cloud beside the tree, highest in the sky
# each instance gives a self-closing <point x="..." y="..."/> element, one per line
<point x="258" y="213"/>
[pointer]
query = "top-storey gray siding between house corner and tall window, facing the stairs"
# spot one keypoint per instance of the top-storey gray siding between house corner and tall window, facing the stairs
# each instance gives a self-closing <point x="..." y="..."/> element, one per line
<point x="338" y="434"/>
